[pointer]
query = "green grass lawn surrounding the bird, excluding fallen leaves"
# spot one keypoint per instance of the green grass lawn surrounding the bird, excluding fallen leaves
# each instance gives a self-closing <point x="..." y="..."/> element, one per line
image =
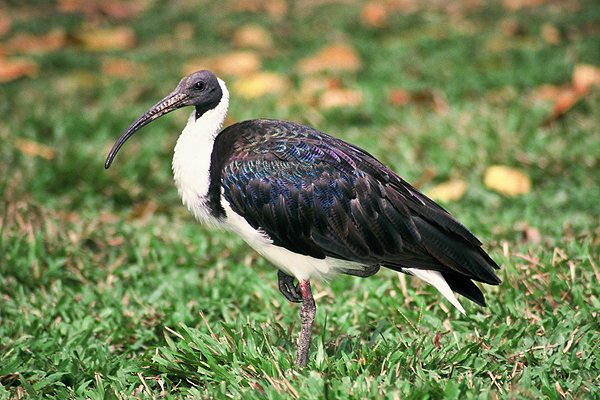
<point x="109" y="289"/>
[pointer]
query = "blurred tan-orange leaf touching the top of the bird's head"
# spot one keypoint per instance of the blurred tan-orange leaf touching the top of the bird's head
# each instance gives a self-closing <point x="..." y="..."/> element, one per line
<point x="237" y="63"/>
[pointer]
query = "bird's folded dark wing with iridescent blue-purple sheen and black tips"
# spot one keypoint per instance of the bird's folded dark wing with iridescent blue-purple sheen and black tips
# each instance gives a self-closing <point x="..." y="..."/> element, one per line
<point x="320" y="196"/>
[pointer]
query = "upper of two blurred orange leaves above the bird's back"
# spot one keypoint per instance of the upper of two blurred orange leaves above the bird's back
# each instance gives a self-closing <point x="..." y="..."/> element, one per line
<point x="332" y="58"/>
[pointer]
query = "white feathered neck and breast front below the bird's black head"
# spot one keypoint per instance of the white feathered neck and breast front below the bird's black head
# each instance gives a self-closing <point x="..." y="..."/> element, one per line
<point x="191" y="162"/>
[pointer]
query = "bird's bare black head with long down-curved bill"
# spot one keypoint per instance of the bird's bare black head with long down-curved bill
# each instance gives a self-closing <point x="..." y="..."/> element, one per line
<point x="200" y="89"/>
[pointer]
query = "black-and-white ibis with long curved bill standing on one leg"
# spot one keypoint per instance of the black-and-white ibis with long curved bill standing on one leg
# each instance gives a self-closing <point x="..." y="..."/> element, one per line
<point x="313" y="205"/>
